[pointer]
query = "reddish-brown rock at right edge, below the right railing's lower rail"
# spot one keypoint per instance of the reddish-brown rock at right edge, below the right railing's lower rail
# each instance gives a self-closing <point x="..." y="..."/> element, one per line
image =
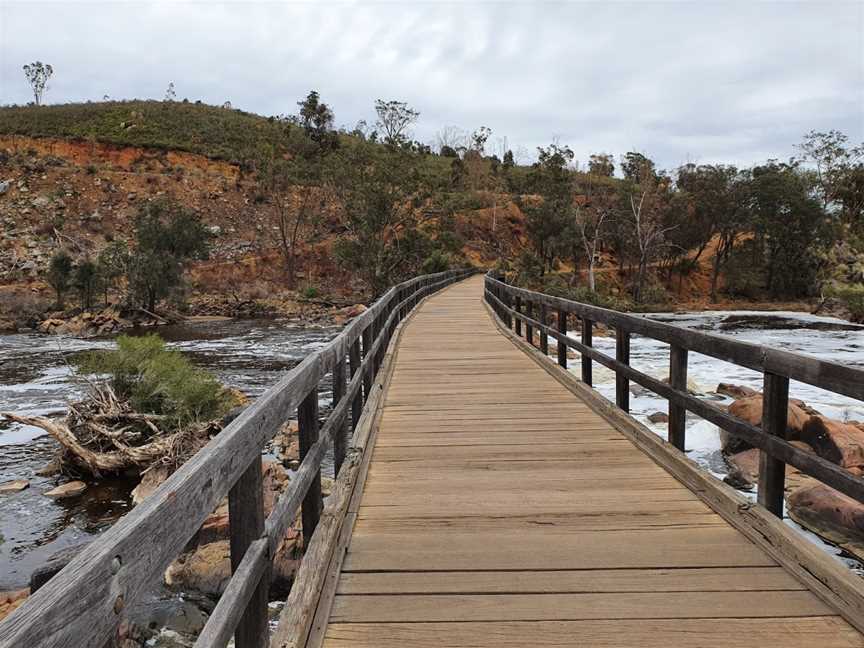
<point x="830" y="514"/>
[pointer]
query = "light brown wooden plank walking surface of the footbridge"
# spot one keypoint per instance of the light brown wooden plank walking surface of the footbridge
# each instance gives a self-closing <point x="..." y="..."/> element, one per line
<point x="499" y="510"/>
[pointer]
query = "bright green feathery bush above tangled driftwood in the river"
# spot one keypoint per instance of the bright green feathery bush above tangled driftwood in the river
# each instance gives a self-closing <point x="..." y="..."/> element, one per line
<point x="158" y="380"/>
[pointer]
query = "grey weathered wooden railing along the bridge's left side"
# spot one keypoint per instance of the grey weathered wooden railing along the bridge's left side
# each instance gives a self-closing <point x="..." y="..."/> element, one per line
<point x="84" y="603"/>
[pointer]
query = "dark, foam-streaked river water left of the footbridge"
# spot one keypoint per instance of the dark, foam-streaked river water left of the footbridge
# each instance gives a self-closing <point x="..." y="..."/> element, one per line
<point x="35" y="378"/>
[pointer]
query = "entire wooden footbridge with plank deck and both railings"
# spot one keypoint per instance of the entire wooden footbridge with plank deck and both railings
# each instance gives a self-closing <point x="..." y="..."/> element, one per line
<point x="486" y="496"/>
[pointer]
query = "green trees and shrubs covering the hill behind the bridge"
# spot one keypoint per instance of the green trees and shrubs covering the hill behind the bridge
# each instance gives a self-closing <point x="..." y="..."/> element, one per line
<point x="388" y="204"/>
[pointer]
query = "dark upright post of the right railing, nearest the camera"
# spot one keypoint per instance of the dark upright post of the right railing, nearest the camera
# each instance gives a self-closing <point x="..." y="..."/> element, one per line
<point x="772" y="472"/>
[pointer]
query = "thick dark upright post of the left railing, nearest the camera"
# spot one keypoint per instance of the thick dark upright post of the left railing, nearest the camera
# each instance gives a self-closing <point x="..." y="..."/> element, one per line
<point x="246" y="525"/>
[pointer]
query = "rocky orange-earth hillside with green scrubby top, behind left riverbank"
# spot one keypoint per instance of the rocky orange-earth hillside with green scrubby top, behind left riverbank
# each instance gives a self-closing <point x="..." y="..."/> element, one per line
<point x="76" y="175"/>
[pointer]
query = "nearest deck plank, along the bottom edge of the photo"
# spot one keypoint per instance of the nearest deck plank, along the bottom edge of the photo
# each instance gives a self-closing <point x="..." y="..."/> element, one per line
<point x="807" y="632"/>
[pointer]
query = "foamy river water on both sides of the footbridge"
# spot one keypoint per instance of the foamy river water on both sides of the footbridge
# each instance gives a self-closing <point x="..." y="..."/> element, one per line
<point x="251" y="355"/>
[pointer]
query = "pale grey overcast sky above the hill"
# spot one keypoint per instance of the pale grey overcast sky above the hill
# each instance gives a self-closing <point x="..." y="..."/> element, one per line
<point x="681" y="81"/>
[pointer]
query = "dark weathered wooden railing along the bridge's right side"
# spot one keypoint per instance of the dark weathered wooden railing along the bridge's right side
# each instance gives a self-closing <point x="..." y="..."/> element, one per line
<point x="520" y="308"/>
